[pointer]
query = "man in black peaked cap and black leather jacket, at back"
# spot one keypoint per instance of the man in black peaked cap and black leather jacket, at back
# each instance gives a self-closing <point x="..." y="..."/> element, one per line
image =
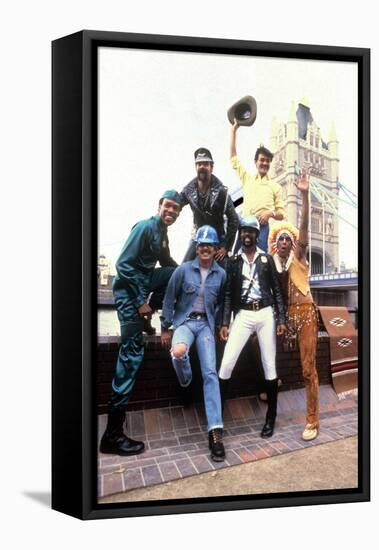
<point x="211" y="204"/>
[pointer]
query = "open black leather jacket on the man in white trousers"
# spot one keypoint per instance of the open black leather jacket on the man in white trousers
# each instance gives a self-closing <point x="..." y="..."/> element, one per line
<point x="268" y="282"/>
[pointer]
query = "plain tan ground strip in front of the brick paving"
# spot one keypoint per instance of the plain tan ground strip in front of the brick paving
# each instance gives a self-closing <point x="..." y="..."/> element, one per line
<point x="286" y="473"/>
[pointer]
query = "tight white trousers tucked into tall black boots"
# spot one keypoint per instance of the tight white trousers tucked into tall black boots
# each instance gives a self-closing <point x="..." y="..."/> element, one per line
<point x="246" y="322"/>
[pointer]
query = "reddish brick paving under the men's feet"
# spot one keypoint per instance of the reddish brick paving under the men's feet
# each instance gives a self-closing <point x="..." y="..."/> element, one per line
<point x="177" y="441"/>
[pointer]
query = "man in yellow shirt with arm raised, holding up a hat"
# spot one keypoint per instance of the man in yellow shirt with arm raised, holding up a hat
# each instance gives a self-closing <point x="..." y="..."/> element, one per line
<point x="262" y="197"/>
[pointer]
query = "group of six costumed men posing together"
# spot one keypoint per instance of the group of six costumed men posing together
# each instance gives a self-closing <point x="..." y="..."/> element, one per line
<point x="267" y="292"/>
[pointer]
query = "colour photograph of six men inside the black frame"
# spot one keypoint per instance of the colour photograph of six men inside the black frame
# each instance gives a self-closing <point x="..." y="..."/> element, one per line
<point x="227" y="275"/>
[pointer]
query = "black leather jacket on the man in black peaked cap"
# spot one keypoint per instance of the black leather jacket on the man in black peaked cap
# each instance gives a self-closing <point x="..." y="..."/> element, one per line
<point x="214" y="214"/>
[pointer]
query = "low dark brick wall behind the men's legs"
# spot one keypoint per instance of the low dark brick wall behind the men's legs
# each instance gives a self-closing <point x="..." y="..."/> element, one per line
<point x="157" y="386"/>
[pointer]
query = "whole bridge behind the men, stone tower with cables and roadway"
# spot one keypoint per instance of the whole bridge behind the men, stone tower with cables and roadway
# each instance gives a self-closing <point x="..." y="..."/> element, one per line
<point x="298" y="142"/>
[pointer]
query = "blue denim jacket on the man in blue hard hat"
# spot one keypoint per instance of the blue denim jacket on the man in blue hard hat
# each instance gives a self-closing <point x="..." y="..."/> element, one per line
<point x="183" y="289"/>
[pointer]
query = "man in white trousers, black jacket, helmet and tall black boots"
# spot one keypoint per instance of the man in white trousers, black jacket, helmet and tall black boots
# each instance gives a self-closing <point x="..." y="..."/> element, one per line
<point x="252" y="293"/>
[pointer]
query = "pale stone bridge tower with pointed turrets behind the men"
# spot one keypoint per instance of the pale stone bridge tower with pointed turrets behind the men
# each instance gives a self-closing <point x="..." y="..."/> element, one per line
<point x="295" y="143"/>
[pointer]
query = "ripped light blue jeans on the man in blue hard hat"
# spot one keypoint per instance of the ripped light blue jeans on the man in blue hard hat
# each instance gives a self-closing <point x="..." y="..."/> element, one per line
<point x="200" y="331"/>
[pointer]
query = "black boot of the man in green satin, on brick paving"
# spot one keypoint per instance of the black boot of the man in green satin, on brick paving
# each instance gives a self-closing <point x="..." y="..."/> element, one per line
<point x="114" y="441"/>
